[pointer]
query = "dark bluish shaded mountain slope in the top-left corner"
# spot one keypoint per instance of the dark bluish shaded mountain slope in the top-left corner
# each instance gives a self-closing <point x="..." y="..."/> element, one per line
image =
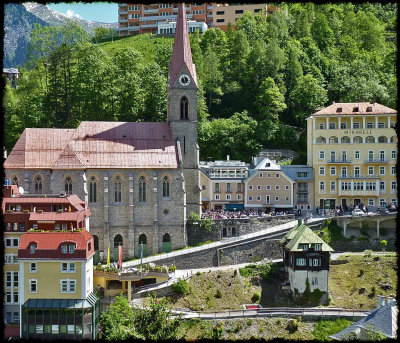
<point x="18" y="25"/>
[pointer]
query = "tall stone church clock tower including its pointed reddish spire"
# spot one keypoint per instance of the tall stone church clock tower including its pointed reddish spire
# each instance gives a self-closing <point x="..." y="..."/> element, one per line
<point x="182" y="110"/>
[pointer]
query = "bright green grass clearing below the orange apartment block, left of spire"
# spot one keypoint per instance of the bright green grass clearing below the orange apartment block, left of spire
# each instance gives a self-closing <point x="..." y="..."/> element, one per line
<point x="146" y="44"/>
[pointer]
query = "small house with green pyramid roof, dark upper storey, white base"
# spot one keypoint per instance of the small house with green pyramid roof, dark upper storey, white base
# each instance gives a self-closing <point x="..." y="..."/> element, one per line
<point x="305" y="255"/>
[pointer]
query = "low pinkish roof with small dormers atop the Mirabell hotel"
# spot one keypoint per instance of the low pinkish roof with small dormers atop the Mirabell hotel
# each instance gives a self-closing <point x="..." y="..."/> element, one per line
<point x="348" y="107"/>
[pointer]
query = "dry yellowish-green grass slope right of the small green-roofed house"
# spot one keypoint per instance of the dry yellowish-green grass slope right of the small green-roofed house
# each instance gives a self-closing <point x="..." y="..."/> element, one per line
<point x="345" y="281"/>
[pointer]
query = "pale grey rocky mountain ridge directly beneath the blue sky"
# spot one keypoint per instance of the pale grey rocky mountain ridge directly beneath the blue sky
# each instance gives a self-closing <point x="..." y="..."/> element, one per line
<point x="56" y="18"/>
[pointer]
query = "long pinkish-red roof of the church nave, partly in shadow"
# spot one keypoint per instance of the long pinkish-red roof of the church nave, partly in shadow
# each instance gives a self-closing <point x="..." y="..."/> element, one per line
<point x="96" y="144"/>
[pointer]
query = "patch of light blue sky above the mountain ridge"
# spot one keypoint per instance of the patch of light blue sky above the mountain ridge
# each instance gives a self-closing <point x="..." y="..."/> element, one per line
<point x="105" y="12"/>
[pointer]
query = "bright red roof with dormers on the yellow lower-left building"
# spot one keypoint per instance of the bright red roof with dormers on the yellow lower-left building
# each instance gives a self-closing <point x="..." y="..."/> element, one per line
<point x="48" y="244"/>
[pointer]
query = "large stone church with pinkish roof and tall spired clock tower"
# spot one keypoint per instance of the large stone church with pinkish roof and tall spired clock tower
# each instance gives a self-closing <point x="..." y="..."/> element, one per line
<point x="140" y="179"/>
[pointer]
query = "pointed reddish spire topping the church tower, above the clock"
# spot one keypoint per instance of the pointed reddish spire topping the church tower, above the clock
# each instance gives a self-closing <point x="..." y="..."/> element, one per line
<point x="181" y="53"/>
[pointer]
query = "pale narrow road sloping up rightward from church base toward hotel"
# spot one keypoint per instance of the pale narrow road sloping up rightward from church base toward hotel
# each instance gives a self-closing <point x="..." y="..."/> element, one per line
<point x="258" y="234"/>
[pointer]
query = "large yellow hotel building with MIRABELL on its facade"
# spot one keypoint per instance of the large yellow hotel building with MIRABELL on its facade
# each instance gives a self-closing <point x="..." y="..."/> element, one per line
<point x="353" y="150"/>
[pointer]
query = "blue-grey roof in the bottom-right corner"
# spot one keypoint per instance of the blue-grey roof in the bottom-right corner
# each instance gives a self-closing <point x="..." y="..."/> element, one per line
<point x="382" y="320"/>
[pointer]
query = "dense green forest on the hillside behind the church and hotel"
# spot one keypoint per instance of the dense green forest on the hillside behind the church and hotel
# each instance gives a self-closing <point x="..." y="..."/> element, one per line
<point x="257" y="83"/>
